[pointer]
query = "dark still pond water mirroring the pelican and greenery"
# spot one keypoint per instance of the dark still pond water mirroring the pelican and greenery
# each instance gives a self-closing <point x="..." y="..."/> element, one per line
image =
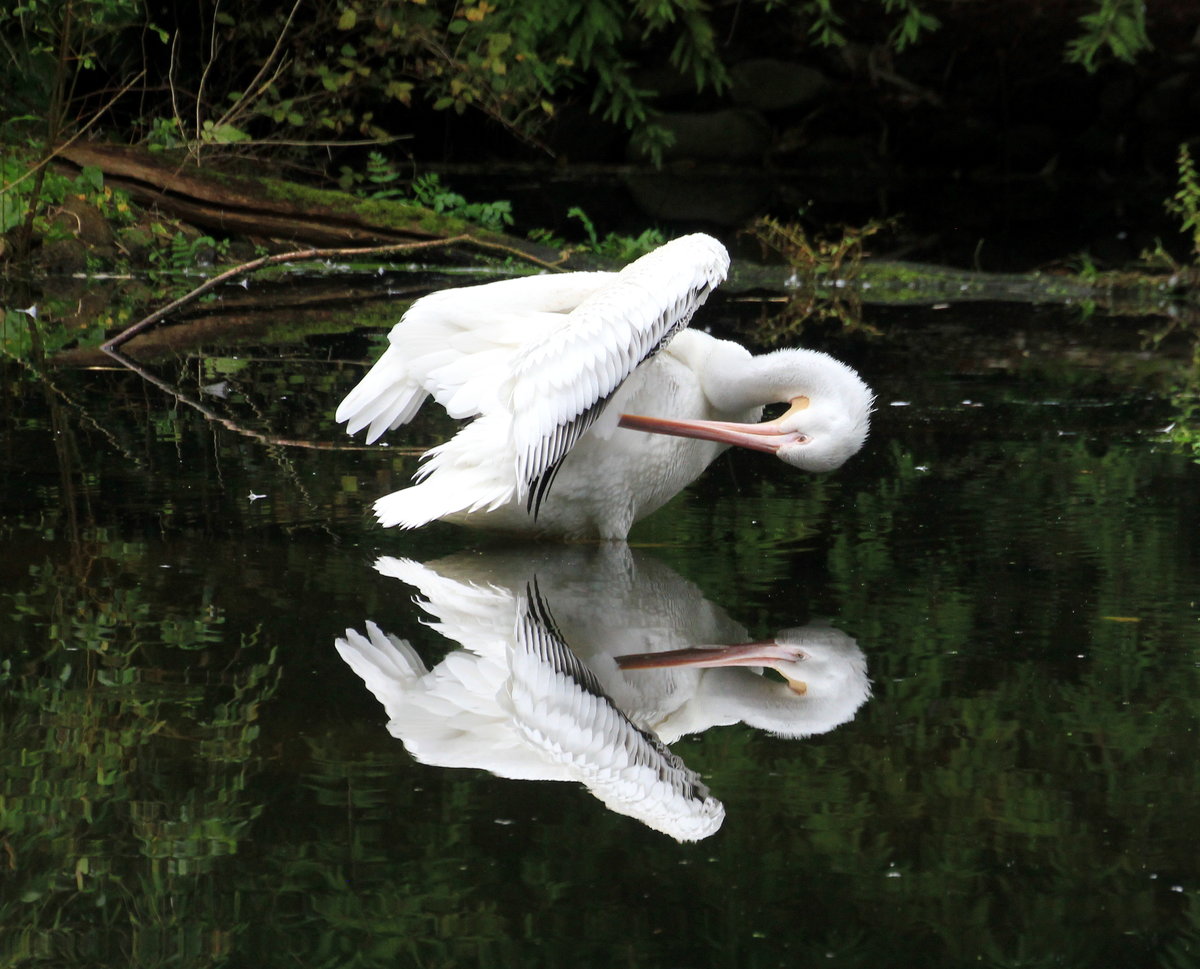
<point x="193" y="777"/>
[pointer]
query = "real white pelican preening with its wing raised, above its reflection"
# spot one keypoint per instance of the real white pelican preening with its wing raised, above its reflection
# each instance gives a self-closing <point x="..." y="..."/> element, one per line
<point x="562" y="374"/>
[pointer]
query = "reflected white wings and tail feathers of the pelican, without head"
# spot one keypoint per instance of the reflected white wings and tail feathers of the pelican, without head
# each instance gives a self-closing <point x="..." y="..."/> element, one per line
<point x="518" y="702"/>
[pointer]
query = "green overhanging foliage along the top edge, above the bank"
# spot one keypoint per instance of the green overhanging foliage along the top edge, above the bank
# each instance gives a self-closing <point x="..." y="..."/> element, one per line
<point x="299" y="75"/>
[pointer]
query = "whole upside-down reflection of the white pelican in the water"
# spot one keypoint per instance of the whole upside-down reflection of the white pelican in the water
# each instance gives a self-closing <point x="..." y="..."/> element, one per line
<point x="583" y="664"/>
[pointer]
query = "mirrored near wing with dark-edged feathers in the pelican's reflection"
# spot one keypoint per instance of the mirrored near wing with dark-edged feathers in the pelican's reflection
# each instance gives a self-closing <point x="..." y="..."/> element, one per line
<point x="562" y="711"/>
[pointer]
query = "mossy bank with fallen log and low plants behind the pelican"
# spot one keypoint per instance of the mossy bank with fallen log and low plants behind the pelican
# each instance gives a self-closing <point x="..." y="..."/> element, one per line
<point x="130" y="213"/>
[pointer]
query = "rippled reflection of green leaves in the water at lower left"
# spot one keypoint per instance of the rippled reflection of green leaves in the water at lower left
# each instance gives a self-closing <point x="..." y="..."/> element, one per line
<point x="107" y="839"/>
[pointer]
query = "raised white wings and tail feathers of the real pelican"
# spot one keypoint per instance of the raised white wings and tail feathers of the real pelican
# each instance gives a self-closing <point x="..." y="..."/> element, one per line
<point x="536" y="362"/>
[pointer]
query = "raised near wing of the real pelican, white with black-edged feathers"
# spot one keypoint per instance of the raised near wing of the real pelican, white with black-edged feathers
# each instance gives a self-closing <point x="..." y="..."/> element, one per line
<point x="562" y="383"/>
